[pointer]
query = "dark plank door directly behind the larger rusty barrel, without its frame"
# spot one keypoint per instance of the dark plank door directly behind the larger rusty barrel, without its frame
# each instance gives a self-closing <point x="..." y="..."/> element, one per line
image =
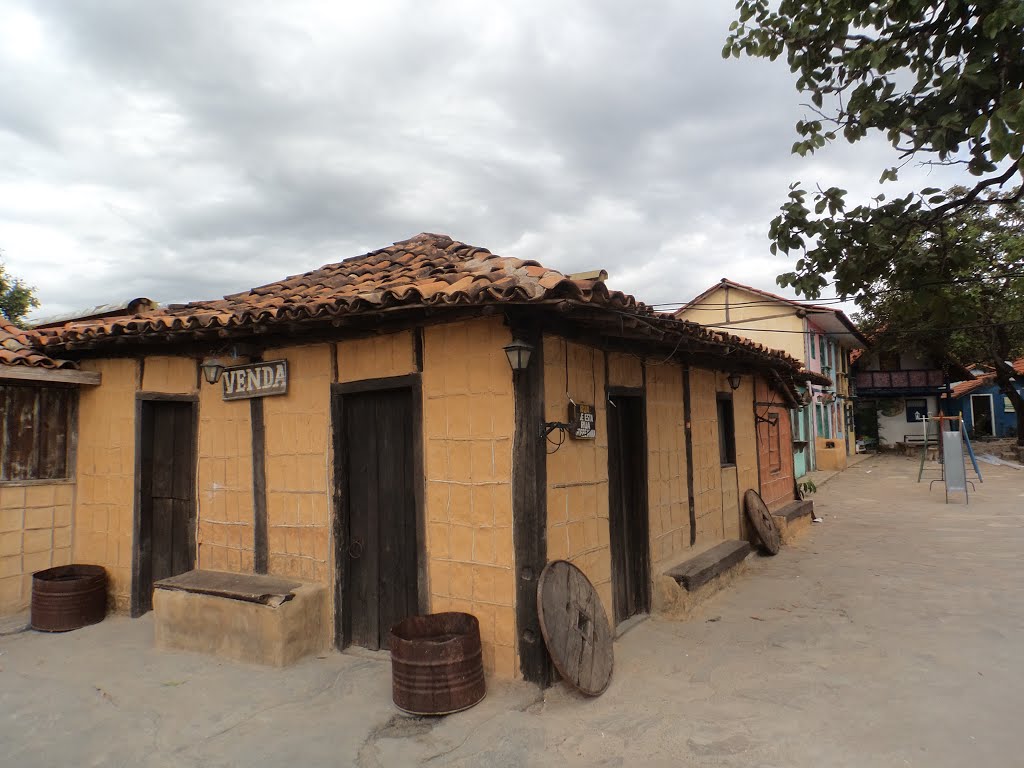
<point x="378" y="542"/>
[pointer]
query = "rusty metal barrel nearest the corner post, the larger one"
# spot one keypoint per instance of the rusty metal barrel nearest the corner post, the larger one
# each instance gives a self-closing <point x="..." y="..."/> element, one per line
<point x="437" y="664"/>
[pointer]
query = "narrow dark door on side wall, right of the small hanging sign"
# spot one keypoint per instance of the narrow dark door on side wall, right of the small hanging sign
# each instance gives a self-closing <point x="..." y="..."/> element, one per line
<point x="628" y="506"/>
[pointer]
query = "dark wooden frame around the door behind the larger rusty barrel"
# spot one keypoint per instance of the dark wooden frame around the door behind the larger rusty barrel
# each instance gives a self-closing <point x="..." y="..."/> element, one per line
<point x="413" y="383"/>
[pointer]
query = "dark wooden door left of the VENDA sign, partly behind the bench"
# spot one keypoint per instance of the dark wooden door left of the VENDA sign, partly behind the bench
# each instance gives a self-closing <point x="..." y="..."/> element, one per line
<point x="166" y="542"/>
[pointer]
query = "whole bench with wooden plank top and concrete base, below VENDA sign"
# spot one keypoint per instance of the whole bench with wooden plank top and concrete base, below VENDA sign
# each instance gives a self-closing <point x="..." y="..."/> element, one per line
<point x="243" y="617"/>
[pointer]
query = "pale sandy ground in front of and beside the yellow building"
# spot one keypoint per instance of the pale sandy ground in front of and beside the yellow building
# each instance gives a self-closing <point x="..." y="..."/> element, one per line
<point x="889" y="636"/>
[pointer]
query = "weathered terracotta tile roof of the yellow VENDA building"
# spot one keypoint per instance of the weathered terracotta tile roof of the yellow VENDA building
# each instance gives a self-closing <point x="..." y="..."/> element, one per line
<point x="425" y="272"/>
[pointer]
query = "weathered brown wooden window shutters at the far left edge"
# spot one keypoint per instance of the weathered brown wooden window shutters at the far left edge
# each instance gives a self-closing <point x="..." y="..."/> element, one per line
<point x="37" y="422"/>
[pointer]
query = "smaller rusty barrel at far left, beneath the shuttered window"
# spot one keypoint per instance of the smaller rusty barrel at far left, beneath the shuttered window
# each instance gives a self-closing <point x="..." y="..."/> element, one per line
<point x="68" y="598"/>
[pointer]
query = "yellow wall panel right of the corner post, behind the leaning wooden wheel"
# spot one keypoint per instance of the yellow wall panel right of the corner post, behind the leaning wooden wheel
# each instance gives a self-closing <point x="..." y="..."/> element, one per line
<point x="578" y="472"/>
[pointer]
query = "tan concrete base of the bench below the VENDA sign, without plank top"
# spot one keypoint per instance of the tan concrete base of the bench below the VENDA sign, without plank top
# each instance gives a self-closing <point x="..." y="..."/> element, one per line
<point x="240" y="630"/>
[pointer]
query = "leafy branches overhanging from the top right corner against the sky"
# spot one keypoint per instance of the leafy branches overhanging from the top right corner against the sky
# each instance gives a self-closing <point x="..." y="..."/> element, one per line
<point x="943" y="81"/>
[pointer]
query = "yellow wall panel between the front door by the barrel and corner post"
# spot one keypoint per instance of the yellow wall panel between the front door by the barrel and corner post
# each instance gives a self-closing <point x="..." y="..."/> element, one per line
<point x="468" y="422"/>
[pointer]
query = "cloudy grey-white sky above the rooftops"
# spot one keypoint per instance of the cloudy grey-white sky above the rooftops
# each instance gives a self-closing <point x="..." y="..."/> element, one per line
<point x="184" y="150"/>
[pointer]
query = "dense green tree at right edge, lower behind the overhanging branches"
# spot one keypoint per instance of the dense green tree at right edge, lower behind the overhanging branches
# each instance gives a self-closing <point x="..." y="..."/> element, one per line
<point x="960" y="291"/>
